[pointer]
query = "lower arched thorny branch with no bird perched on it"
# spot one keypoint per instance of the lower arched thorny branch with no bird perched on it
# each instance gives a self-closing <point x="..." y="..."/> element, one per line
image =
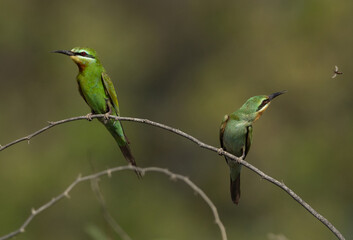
<point x="108" y="172"/>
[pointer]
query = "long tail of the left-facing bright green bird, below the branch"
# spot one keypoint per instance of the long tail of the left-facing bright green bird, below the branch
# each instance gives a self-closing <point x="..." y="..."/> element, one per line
<point x="116" y="130"/>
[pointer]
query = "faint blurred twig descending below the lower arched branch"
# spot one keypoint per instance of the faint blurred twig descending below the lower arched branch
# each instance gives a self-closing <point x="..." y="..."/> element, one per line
<point x="108" y="218"/>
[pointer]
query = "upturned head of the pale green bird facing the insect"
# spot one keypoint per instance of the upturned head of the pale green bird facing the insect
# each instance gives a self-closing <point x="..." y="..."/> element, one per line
<point x="256" y="106"/>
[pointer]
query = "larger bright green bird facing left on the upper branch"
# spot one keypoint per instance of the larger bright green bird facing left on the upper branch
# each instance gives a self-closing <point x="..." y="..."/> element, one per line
<point x="98" y="91"/>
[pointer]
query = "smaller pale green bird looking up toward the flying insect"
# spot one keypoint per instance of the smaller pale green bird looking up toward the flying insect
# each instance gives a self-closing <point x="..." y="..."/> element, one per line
<point x="236" y="135"/>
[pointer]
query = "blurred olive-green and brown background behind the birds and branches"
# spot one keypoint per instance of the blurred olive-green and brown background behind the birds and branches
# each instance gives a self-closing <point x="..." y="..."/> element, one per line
<point x="185" y="64"/>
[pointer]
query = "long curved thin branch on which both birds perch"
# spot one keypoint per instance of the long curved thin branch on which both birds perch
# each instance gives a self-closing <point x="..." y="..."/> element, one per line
<point x="220" y="151"/>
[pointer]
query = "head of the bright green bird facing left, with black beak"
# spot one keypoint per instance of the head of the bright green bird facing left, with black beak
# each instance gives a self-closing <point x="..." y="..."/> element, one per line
<point x="83" y="57"/>
